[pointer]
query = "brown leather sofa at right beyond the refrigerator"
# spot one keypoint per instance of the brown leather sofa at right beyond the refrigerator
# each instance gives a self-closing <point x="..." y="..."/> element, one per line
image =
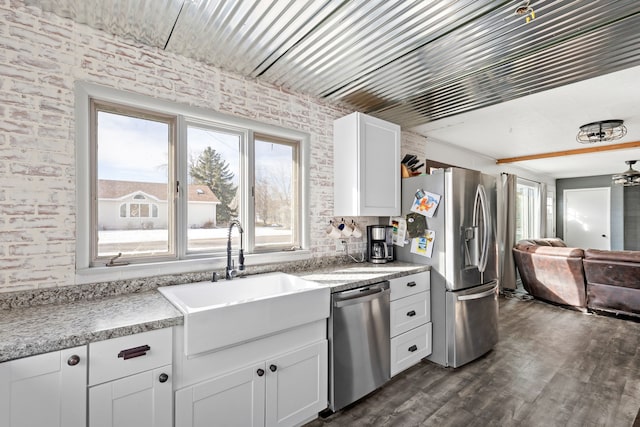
<point x="585" y="279"/>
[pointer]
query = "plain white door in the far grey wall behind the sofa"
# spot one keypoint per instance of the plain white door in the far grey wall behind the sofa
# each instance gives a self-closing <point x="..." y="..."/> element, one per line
<point x="587" y="218"/>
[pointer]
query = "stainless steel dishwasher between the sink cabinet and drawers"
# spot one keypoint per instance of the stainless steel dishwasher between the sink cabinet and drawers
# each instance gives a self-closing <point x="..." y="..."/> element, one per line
<point x="358" y="343"/>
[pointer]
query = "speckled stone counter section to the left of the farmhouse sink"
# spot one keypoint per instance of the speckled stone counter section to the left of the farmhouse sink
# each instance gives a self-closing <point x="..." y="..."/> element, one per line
<point x="41" y="329"/>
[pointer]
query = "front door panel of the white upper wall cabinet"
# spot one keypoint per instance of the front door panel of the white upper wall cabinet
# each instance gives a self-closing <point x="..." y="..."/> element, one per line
<point x="380" y="167"/>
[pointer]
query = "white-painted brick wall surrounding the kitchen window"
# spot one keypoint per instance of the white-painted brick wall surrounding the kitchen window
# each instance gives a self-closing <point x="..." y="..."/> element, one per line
<point x="41" y="56"/>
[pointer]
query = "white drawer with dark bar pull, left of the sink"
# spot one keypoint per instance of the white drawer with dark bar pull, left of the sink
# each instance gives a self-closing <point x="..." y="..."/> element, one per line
<point x="123" y="356"/>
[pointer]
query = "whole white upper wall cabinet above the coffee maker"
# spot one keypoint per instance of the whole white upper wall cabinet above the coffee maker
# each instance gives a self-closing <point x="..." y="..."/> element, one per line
<point x="366" y="161"/>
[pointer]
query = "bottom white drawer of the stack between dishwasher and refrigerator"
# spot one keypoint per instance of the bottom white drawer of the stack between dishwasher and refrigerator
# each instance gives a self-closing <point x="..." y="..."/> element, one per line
<point x="409" y="348"/>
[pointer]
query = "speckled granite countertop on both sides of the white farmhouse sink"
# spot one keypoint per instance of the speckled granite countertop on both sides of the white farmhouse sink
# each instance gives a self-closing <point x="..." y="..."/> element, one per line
<point x="27" y="331"/>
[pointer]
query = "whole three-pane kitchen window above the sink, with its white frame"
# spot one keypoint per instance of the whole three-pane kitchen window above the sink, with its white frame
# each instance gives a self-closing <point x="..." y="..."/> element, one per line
<point x="163" y="181"/>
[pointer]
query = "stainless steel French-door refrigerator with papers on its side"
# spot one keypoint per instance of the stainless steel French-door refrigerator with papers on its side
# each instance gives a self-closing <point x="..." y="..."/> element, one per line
<point x="464" y="271"/>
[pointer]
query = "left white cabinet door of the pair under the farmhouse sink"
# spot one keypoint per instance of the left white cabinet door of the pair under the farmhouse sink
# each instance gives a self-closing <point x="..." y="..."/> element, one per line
<point x="234" y="399"/>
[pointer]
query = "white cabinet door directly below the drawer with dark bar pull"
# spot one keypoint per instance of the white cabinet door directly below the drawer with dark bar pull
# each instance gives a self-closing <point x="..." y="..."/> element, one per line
<point x="138" y="400"/>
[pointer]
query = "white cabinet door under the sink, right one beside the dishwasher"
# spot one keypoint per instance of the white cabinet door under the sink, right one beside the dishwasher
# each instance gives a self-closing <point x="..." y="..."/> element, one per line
<point x="297" y="386"/>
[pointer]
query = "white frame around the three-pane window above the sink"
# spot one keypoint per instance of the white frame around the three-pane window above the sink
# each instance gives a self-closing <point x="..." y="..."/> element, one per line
<point x="84" y="92"/>
